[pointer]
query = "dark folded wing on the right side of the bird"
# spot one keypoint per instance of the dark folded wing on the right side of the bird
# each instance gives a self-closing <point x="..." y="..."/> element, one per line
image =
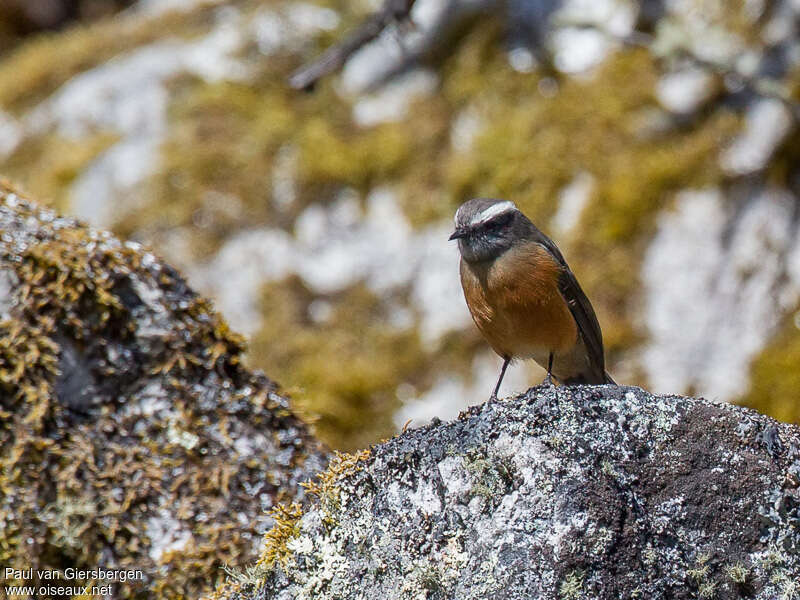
<point x="580" y="307"/>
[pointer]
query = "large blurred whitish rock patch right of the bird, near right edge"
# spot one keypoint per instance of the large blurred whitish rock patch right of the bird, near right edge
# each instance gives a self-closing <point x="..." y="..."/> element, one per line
<point x="715" y="289"/>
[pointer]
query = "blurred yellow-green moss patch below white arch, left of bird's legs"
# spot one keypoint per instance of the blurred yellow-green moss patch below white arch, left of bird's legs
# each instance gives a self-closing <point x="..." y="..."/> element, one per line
<point x="346" y="370"/>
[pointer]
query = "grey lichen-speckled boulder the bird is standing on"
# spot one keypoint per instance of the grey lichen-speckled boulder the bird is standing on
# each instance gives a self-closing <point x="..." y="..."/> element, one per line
<point x="561" y="493"/>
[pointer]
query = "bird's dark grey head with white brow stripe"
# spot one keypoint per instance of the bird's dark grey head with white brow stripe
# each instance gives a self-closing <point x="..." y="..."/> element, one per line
<point x="485" y="228"/>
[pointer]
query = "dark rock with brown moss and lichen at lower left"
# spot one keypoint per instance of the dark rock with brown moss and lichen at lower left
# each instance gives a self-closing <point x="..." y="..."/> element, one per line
<point x="131" y="437"/>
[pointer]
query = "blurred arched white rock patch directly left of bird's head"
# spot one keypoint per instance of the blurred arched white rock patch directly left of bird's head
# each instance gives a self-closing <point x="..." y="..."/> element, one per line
<point x="335" y="247"/>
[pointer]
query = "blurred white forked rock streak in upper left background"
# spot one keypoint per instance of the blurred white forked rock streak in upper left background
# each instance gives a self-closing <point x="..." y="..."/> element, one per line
<point x="127" y="96"/>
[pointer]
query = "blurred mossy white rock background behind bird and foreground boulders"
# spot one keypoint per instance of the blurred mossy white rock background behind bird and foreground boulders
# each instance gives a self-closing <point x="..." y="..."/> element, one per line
<point x="655" y="140"/>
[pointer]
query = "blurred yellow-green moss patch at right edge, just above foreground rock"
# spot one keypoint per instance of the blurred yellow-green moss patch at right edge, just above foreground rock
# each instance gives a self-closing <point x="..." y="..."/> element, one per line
<point x="775" y="375"/>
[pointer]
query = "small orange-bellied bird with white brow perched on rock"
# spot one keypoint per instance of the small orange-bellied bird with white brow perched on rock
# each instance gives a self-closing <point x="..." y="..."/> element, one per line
<point x="523" y="296"/>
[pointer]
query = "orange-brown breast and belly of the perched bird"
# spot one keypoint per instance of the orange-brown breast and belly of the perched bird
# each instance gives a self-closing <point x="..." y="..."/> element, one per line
<point x="516" y="304"/>
